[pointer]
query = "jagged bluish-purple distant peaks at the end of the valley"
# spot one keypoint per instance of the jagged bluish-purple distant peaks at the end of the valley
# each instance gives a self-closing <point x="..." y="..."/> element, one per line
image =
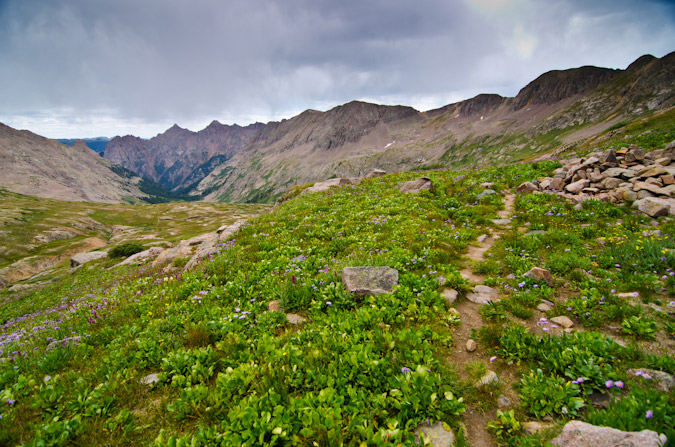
<point x="180" y="158"/>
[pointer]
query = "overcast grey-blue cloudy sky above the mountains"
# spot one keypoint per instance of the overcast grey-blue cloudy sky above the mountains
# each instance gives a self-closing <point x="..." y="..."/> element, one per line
<point x="85" y="68"/>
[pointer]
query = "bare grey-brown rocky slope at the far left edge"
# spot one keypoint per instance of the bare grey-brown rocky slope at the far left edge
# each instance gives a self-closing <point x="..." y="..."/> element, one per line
<point x="37" y="166"/>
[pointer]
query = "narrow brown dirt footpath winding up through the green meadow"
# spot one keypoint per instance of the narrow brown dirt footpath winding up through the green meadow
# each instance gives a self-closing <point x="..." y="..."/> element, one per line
<point x="475" y="420"/>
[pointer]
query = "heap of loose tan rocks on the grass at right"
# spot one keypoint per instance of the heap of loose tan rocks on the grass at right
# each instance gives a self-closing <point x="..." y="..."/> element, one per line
<point x="647" y="179"/>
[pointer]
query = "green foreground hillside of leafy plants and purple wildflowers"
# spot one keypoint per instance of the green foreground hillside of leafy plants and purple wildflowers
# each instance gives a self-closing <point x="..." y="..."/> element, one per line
<point x="439" y="306"/>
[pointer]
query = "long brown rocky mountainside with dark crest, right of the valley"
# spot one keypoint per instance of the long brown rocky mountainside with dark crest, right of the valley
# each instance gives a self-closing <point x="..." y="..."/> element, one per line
<point x="550" y="113"/>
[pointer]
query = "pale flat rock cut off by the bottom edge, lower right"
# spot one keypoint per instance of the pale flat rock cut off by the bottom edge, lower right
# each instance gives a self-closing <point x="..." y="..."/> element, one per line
<point x="581" y="434"/>
